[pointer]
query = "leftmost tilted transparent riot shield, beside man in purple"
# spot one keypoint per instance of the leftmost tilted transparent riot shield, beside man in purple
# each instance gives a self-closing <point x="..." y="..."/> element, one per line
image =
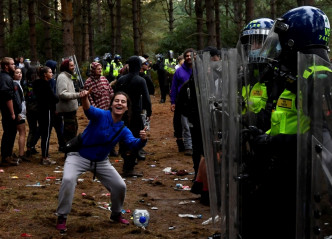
<point x="207" y="77"/>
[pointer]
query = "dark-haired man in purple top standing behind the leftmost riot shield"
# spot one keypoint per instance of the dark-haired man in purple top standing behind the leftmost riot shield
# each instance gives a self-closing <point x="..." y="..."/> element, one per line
<point x="180" y="122"/>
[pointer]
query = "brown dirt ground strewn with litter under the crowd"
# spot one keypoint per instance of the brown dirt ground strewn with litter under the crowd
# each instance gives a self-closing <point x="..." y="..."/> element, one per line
<point x="30" y="210"/>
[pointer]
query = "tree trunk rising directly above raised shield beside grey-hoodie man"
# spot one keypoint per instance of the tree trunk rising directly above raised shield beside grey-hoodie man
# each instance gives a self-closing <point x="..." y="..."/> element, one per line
<point x="78" y="29"/>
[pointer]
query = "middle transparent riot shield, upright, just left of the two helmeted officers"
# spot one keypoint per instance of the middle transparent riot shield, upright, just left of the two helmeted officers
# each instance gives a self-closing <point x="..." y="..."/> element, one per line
<point x="231" y="129"/>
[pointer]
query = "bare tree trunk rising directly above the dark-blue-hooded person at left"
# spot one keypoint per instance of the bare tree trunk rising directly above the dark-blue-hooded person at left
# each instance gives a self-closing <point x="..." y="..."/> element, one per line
<point x="47" y="30"/>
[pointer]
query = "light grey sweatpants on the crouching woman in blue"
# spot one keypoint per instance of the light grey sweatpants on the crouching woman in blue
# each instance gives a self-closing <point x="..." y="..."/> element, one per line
<point x="75" y="165"/>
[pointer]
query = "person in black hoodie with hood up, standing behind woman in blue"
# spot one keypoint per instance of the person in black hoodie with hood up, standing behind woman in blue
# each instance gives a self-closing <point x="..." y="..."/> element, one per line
<point x="135" y="86"/>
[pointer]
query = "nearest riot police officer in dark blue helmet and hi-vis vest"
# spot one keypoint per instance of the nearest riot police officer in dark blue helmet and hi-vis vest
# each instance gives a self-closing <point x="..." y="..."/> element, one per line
<point x="305" y="30"/>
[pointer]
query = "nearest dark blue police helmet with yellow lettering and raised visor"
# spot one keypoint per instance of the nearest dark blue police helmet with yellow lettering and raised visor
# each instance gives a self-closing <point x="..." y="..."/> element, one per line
<point x="298" y="29"/>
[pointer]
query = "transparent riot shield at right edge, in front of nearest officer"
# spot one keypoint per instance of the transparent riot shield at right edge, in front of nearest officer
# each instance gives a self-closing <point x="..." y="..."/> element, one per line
<point x="314" y="160"/>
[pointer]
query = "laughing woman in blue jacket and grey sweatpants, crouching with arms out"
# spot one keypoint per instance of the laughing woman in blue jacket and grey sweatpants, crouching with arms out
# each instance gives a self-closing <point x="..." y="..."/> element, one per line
<point x="103" y="132"/>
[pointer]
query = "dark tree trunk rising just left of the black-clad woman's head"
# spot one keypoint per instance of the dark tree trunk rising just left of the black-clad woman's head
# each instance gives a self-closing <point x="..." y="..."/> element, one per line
<point x="32" y="31"/>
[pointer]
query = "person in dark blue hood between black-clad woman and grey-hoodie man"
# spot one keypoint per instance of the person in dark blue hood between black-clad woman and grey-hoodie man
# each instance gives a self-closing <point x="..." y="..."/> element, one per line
<point x="57" y="120"/>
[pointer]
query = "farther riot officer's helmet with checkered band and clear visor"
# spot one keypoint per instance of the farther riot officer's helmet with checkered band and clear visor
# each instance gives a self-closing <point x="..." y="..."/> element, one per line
<point x="253" y="36"/>
